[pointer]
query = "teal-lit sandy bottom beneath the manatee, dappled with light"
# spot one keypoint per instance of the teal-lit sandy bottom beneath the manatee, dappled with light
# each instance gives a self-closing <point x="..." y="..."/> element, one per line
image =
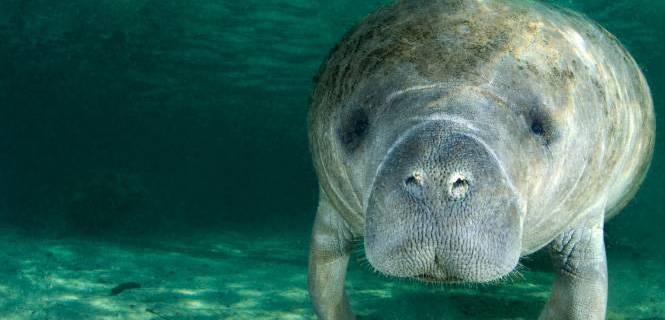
<point x="235" y="276"/>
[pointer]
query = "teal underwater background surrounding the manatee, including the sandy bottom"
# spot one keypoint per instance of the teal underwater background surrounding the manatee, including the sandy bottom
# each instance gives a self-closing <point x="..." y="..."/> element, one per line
<point x="154" y="165"/>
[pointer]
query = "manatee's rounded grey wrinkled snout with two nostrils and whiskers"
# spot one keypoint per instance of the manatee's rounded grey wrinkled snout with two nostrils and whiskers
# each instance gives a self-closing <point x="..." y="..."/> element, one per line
<point x="442" y="209"/>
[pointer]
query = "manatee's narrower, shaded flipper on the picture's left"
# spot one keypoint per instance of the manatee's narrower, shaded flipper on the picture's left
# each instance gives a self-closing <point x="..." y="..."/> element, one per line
<point x="330" y="250"/>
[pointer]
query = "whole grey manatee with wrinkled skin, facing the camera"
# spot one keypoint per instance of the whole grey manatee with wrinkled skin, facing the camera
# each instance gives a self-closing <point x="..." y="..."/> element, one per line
<point x="457" y="136"/>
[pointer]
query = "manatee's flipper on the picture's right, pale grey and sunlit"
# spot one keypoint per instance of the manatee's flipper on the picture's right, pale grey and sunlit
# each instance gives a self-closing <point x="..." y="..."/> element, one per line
<point x="580" y="288"/>
